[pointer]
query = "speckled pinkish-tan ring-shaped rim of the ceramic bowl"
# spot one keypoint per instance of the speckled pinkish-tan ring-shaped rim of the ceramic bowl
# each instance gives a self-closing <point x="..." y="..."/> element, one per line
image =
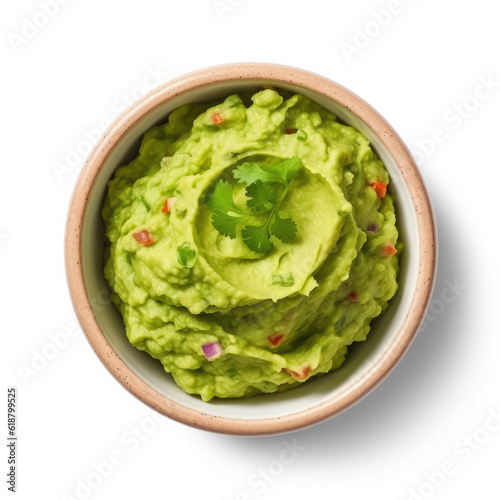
<point x="280" y="75"/>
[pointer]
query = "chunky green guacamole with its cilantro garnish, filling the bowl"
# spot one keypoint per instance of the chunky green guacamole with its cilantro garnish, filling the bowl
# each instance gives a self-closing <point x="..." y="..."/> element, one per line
<point x="231" y="315"/>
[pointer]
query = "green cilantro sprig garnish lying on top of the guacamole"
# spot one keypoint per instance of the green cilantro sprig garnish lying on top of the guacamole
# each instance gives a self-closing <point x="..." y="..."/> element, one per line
<point x="266" y="189"/>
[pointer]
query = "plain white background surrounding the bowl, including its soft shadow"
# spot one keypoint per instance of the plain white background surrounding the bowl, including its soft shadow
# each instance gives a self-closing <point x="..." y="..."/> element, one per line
<point x="418" y="70"/>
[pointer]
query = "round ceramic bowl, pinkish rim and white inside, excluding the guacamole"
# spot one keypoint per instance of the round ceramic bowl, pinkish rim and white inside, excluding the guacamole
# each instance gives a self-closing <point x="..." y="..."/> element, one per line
<point x="368" y="362"/>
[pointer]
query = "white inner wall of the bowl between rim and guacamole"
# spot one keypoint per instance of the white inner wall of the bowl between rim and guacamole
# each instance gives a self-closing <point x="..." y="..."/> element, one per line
<point x="363" y="357"/>
